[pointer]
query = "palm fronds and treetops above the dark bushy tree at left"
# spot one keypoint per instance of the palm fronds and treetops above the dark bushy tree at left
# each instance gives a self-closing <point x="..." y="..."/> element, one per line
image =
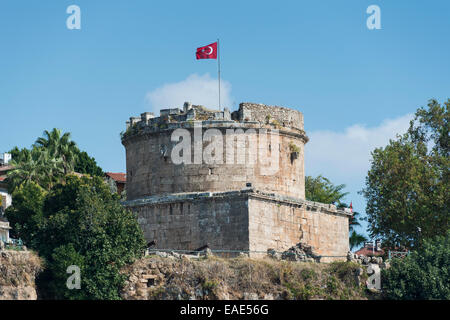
<point x="49" y="160"/>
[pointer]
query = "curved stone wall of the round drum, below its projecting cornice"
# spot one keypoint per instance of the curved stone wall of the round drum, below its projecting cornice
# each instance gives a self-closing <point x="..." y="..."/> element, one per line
<point x="149" y="172"/>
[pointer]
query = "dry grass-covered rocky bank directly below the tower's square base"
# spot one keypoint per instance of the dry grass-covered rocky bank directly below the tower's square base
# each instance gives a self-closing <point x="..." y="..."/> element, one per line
<point x="241" y="278"/>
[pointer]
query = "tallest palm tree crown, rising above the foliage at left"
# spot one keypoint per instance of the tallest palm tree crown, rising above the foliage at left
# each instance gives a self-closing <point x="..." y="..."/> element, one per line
<point x="59" y="146"/>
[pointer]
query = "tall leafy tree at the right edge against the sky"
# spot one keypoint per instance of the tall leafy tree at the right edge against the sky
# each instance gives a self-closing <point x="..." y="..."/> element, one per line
<point x="408" y="183"/>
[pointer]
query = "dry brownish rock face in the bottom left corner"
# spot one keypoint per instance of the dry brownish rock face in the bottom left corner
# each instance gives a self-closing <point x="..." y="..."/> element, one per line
<point x="18" y="270"/>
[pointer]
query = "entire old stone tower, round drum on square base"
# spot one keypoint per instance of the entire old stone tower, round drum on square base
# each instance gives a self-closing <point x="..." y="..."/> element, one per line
<point x="232" y="181"/>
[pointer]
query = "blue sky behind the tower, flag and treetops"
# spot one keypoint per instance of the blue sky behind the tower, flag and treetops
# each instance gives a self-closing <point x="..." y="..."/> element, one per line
<point x="355" y="86"/>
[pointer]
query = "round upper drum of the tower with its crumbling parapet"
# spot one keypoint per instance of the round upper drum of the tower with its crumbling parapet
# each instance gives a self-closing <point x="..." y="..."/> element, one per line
<point x="201" y="150"/>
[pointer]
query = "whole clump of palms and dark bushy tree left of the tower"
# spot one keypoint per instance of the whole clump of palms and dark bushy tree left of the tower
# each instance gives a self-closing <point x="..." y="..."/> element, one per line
<point x="70" y="220"/>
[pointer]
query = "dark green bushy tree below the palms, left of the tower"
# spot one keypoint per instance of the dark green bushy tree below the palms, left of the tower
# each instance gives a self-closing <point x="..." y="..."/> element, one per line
<point x="77" y="223"/>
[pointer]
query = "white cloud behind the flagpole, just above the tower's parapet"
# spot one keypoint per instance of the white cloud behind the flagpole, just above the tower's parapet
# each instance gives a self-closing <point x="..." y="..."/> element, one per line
<point x="197" y="89"/>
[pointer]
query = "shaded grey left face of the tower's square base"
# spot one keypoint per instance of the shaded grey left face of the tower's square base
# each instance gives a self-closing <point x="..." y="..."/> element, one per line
<point x="193" y="221"/>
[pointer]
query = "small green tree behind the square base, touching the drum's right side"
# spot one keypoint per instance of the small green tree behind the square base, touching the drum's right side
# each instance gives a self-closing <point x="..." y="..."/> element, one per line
<point x="320" y="189"/>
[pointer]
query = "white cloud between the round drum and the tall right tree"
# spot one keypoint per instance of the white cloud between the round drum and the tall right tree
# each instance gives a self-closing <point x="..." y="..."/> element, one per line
<point x="345" y="156"/>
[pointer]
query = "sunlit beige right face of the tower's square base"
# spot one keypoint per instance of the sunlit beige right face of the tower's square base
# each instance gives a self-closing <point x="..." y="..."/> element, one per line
<point x="281" y="224"/>
